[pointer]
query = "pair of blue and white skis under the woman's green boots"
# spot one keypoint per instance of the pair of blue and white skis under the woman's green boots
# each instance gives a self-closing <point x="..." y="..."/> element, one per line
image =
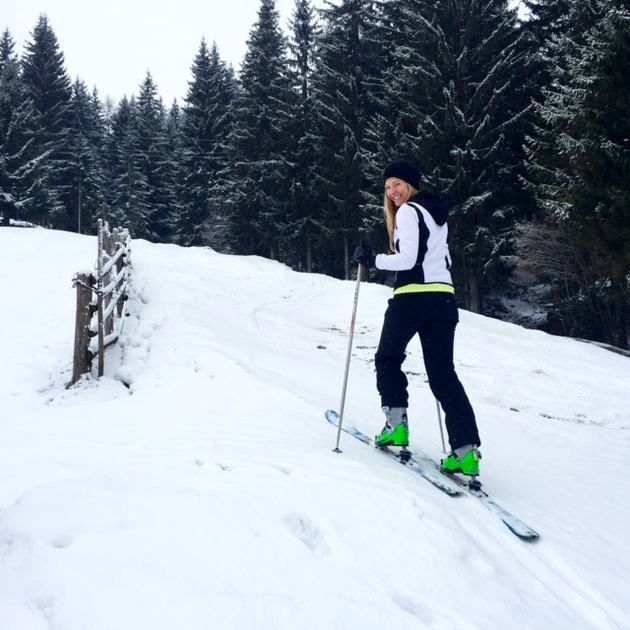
<point x="425" y="465"/>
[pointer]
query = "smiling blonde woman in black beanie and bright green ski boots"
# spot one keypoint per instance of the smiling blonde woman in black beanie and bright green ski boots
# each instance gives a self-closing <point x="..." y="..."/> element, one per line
<point x="423" y="303"/>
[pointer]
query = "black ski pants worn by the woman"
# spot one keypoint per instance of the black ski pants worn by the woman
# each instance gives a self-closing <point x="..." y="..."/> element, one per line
<point x="434" y="317"/>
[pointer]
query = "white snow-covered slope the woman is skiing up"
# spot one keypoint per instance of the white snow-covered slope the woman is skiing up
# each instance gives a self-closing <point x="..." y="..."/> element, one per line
<point x="194" y="485"/>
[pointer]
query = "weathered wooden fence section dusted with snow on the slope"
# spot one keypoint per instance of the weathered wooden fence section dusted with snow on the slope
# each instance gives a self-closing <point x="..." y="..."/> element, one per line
<point x="103" y="295"/>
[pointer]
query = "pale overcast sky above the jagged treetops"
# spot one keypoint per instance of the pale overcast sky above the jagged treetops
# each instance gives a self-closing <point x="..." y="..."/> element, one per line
<point x="112" y="44"/>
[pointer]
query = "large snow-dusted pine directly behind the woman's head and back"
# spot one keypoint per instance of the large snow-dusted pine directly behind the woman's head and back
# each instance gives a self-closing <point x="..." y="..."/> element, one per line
<point x="455" y="94"/>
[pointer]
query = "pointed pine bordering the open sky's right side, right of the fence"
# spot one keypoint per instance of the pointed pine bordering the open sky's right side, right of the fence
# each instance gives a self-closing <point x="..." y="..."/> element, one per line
<point x="205" y="127"/>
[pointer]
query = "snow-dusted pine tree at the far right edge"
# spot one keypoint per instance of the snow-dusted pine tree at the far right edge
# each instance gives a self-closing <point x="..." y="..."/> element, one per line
<point x="583" y="173"/>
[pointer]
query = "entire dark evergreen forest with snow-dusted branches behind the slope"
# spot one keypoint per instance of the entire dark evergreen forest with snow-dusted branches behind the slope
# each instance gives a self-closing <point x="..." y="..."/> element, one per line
<point x="521" y="123"/>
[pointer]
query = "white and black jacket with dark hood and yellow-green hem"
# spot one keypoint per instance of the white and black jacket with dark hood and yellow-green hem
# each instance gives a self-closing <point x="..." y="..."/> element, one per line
<point x="422" y="260"/>
